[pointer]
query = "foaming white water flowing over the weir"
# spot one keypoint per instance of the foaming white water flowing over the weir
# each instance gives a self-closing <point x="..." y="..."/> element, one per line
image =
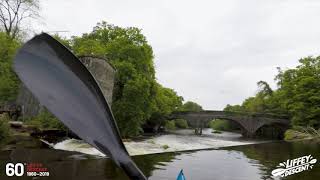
<point x="180" y="140"/>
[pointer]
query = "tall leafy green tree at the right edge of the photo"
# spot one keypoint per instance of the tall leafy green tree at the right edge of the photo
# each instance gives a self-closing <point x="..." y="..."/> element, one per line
<point x="300" y="89"/>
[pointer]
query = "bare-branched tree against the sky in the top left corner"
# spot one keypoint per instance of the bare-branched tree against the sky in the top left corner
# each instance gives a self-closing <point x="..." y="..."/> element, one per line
<point x="14" y="12"/>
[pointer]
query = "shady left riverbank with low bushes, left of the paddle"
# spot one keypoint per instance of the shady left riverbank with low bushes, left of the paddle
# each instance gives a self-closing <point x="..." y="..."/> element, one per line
<point x="35" y="132"/>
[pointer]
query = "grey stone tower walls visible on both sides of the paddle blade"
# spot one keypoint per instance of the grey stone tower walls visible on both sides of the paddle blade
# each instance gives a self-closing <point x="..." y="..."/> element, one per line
<point x="101" y="70"/>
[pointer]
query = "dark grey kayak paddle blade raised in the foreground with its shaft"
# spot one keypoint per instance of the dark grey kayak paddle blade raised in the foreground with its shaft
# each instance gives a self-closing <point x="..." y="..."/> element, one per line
<point x="66" y="88"/>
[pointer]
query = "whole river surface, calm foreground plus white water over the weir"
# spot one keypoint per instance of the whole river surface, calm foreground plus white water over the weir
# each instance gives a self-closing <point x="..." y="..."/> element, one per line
<point x="247" y="161"/>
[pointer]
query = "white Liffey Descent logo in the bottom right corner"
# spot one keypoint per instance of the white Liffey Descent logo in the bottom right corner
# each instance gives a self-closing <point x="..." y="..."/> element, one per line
<point x="293" y="166"/>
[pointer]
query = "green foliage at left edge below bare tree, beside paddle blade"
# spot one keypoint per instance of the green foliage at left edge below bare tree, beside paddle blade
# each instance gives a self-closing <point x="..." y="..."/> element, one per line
<point x="9" y="82"/>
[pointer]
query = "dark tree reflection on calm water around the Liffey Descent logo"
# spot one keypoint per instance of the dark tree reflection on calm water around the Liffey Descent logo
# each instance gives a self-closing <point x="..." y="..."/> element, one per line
<point x="268" y="156"/>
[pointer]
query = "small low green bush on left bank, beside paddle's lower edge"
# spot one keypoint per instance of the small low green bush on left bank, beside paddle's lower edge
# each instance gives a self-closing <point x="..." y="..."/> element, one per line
<point x="46" y="120"/>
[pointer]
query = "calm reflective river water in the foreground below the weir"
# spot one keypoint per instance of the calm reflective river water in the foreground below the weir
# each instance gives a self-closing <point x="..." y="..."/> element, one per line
<point x="241" y="162"/>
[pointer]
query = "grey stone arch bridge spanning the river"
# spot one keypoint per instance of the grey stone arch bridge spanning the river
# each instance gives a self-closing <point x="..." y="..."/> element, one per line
<point x="249" y="122"/>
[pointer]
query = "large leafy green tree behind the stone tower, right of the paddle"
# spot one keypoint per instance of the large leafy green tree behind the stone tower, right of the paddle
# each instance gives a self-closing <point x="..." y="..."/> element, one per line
<point x="137" y="98"/>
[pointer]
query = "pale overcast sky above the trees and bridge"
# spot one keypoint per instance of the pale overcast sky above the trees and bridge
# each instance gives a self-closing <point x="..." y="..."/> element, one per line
<point x="210" y="52"/>
